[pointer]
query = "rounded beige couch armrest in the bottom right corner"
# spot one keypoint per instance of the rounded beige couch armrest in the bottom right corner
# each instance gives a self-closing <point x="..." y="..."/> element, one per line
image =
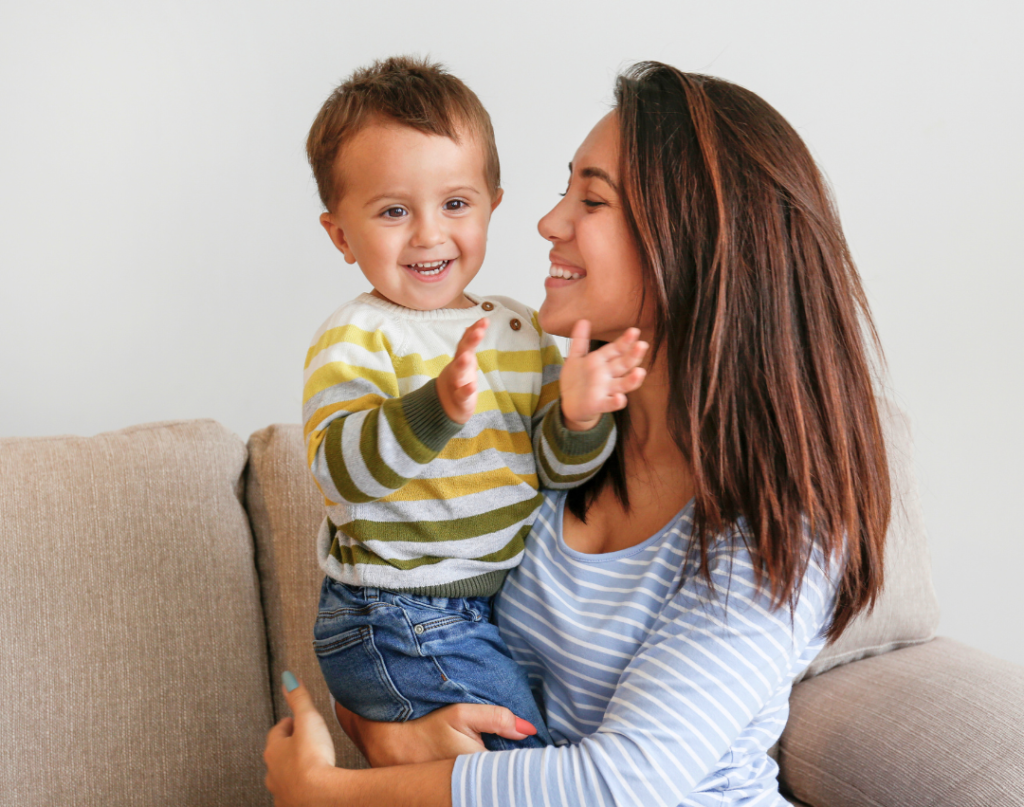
<point x="941" y="725"/>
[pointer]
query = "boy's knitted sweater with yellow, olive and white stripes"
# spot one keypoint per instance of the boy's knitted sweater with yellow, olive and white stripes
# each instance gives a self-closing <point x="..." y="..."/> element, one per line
<point x="416" y="502"/>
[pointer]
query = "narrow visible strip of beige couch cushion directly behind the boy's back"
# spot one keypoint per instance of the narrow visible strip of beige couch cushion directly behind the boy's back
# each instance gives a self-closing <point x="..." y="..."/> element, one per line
<point x="286" y="512"/>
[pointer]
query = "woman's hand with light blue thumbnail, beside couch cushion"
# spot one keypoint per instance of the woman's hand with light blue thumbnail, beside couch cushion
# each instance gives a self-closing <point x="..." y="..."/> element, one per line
<point x="300" y="753"/>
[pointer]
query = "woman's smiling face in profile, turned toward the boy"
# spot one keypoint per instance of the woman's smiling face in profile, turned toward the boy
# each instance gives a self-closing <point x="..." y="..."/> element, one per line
<point x="595" y="268"/>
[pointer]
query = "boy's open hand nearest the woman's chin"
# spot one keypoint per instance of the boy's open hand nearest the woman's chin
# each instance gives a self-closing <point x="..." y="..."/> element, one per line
<point x="594" y="384"/>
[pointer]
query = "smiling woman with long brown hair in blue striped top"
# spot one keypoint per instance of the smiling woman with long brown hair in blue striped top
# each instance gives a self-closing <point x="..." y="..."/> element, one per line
<point x="665" y="609"/>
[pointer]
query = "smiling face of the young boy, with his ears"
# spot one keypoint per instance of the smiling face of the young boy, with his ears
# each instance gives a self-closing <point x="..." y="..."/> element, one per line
<point x="414" y="215"/>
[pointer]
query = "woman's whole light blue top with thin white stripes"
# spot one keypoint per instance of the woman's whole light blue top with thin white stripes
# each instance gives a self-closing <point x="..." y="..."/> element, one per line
<point x="658" y="692"/>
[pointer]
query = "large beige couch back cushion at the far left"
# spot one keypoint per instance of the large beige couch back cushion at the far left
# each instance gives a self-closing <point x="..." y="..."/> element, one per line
<point x="134" y="667"/>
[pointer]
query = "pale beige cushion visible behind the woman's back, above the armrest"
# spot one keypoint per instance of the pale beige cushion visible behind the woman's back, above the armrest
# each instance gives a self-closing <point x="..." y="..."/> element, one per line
<point x="908" y="611"/>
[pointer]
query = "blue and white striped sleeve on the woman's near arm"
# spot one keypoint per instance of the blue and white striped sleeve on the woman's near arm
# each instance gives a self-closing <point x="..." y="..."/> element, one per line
<point x="711" y="664"/>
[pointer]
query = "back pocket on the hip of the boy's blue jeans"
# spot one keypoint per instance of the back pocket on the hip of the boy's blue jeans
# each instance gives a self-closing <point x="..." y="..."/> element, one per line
<point x="358" y="677"/>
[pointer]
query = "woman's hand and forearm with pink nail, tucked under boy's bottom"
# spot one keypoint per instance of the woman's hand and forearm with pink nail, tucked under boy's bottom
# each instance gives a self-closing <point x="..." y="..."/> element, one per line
<point x="443" y="735"/>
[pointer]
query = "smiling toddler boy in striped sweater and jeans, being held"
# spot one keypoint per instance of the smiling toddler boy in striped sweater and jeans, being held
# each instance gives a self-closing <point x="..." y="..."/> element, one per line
<point x="433" y="415"/>
